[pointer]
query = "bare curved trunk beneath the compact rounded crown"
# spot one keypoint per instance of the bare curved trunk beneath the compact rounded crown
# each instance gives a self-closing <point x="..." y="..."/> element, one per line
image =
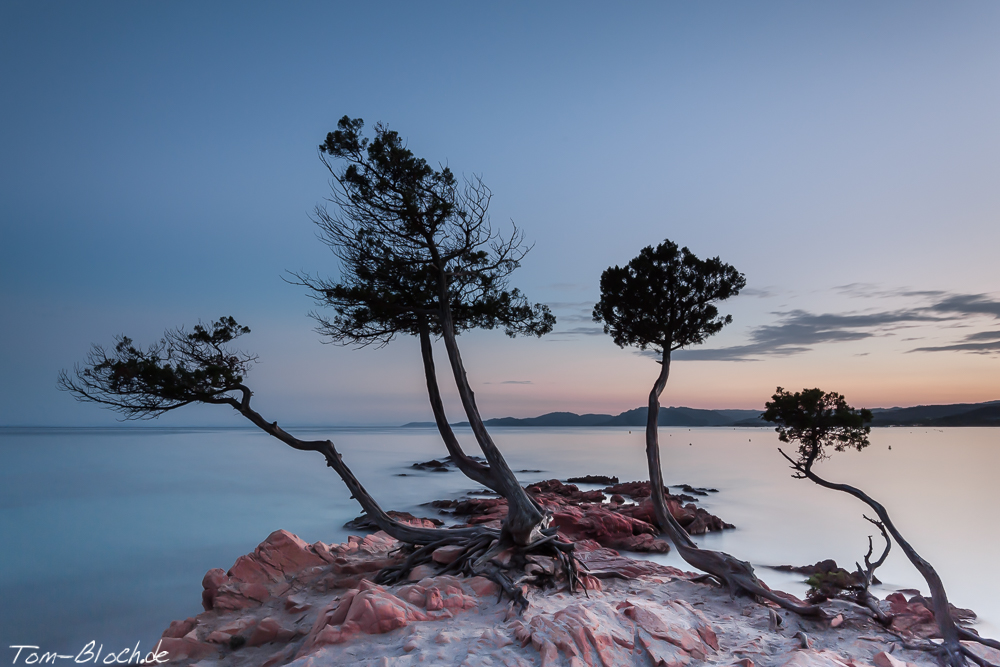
<point x="736" y="574"/>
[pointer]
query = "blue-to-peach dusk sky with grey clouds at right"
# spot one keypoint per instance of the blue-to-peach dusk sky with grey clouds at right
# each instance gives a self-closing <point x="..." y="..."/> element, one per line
<point x="160" y="167"/>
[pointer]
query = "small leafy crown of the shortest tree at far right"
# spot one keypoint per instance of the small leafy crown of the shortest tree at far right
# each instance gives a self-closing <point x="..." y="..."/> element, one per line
<point x="816" y="421"/>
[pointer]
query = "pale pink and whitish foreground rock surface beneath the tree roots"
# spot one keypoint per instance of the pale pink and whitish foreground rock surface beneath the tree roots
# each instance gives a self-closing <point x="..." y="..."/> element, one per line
<point x="312" y="605"/>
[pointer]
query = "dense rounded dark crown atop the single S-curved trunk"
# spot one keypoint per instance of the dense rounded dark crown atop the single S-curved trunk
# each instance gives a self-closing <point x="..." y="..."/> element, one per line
<point x="664" y="298"/>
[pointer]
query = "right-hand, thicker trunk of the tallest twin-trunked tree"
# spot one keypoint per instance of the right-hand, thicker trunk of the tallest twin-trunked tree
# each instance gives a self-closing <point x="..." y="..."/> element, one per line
<point x="525" y="519"/>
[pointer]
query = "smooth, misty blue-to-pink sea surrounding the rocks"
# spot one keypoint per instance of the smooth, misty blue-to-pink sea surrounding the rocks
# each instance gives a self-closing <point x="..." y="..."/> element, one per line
<point x="108" y="532"/>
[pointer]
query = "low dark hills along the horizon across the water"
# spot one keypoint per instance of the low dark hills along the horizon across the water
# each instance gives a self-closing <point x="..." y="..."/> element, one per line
<point x="959" y="414"/>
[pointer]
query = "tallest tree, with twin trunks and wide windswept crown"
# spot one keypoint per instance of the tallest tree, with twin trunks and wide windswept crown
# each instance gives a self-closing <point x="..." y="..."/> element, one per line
<point x="418" y="256"/>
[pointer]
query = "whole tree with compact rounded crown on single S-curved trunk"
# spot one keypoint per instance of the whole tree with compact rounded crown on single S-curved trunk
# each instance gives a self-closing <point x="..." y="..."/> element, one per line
<point x="664" y="300"/>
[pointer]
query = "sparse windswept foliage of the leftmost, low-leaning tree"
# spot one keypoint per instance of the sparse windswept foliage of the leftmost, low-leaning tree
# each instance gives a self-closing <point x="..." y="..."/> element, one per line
<point x="182" y="368"/>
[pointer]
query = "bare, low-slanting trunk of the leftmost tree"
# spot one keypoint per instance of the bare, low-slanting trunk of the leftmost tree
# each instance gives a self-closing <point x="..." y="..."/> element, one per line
<point x="401" y="531"/>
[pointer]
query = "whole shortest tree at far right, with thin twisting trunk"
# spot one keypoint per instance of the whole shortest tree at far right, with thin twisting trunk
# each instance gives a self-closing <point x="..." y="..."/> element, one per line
<point x="818" y="422"/>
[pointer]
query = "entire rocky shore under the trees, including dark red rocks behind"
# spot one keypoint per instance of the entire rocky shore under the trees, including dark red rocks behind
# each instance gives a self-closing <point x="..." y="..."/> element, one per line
<point x="311" y="605"/>
